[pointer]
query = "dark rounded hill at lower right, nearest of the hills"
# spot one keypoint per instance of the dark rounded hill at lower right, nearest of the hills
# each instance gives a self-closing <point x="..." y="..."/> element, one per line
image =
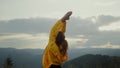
<point x="93" y="61"/>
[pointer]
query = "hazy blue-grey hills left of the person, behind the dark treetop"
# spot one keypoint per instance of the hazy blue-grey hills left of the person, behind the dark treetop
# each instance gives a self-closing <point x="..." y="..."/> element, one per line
<point x="22" y="58"/>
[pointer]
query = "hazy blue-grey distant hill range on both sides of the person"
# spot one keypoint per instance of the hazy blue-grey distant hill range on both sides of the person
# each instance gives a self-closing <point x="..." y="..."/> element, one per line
<point x="32" y="58"/>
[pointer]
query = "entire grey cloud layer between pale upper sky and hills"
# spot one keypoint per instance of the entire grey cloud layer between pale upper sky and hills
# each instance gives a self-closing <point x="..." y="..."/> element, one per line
<point x="80" y="32"/>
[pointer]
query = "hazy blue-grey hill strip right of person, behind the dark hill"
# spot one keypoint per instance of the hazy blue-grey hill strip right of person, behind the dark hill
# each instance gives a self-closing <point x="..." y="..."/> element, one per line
<point x="74" y="53"/>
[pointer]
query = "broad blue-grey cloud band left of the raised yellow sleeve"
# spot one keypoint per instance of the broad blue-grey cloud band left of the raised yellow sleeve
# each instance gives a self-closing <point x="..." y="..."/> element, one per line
<point x="28" y="25"/>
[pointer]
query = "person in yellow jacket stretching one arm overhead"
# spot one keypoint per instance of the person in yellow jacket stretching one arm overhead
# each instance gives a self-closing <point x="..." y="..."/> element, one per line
<point x="54" y="54"/>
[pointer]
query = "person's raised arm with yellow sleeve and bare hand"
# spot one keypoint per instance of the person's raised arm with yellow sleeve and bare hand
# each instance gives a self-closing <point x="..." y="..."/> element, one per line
<point x="59" y="26"/>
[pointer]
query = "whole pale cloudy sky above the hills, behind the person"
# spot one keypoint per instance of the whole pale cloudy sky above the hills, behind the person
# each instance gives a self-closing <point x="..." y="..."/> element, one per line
<point x="27" y="23"/>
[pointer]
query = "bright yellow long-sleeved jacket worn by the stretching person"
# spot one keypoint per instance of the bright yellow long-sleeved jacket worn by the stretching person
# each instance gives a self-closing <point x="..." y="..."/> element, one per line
<point x="52" y="54"/>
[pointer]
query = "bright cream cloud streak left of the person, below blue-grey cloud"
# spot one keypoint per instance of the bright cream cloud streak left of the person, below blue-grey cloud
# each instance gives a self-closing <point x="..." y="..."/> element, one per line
<point x="22" y="36"/>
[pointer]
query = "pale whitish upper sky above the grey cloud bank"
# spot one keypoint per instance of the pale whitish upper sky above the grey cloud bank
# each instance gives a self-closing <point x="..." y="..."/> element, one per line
<point x="10" y="9"/>
